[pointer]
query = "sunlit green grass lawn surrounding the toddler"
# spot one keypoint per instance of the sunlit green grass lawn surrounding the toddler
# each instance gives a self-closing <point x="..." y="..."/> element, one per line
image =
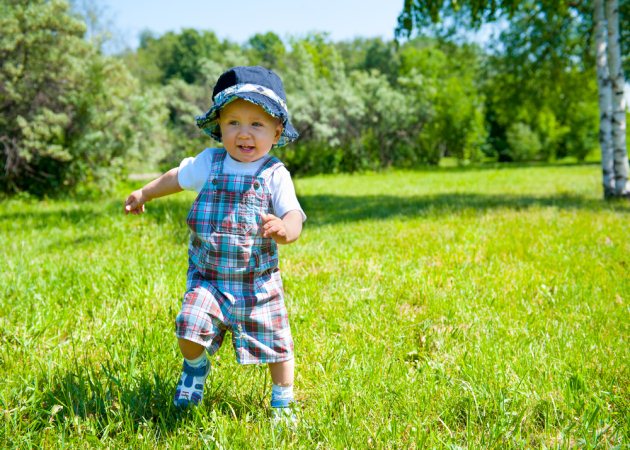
<point x="478" y="307"/>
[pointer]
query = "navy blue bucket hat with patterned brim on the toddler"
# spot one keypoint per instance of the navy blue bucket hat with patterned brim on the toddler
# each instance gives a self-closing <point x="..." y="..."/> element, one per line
<point x="255" y="84"/>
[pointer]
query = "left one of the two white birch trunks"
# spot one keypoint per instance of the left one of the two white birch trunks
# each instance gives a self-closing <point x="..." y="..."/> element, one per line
<point x="605" y="99"/>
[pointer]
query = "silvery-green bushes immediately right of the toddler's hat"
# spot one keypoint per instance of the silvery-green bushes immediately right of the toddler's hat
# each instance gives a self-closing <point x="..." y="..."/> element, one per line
<point x="348" y="121"/>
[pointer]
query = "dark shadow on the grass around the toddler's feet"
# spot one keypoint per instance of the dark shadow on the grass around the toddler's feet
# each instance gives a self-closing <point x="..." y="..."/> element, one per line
<point x="109" y="404"/>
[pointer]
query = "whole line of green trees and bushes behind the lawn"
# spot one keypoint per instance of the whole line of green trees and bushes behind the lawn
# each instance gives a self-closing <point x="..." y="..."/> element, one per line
<point x="73" y="117"/>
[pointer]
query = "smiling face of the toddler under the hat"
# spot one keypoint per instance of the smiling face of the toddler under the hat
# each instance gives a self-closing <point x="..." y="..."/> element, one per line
<point x="247" y="131"/>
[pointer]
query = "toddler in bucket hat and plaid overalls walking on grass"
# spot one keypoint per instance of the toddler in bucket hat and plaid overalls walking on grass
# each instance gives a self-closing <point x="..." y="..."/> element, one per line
<point x="246" y="204"/>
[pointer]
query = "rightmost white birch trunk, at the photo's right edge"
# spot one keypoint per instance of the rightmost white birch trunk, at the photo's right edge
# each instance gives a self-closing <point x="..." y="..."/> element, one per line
<point x="615" y="71"/>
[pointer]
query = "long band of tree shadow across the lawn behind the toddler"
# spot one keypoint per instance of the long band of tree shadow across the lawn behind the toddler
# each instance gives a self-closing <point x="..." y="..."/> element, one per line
<point x="324" y="209"/>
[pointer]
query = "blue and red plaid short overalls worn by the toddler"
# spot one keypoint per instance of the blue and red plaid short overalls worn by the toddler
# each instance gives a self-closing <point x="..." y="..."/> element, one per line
<point x="233" y="280"/>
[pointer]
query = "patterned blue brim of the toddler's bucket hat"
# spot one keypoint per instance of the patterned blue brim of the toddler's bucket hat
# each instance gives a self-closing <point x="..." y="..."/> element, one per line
<point x="209" y="122"/>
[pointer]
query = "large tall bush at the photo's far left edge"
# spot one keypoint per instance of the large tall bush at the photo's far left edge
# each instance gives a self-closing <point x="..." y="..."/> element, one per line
<point x="37" y="102"/>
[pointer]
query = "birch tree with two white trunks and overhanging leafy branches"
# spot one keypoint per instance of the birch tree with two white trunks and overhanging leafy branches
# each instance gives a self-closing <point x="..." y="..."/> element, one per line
<point x="418" y="14"/>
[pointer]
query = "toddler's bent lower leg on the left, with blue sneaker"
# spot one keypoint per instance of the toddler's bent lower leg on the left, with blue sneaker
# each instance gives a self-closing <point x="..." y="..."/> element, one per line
<point x="195" y="369"/>
